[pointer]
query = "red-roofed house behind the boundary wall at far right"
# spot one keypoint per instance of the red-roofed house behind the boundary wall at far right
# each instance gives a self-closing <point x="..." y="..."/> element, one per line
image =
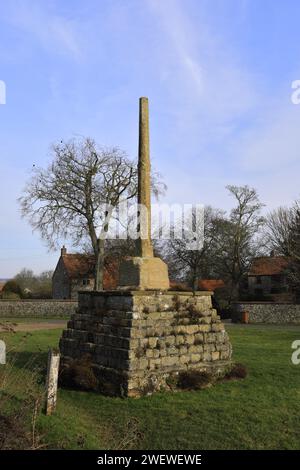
<point x="267" y="275"/>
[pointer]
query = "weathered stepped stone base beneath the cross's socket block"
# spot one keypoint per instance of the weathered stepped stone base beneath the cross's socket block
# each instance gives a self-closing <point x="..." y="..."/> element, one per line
<point x="138" y="340"/>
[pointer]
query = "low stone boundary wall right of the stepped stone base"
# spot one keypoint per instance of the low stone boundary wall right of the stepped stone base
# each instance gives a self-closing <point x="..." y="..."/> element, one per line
<point x="267" y="312"/>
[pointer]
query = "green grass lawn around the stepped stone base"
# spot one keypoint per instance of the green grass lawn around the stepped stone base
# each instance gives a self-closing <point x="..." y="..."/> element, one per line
<point x="259" y="412"/>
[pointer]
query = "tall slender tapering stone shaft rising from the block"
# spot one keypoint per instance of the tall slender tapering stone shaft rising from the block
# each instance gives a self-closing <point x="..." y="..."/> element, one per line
<point x="144" y="245"/>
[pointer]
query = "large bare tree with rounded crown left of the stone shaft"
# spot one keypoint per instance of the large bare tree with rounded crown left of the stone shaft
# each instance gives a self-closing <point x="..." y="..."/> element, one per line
<point x="69" y="199"/>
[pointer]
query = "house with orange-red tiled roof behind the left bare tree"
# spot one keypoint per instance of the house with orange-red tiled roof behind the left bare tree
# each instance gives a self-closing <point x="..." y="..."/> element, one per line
<point x="75" y="272"/>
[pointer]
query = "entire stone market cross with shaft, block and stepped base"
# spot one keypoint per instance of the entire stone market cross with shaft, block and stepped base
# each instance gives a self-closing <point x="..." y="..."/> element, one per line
<point x="143" y="336"/>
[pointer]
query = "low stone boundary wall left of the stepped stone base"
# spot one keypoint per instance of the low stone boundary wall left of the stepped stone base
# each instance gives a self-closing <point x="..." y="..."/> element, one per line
<point x="37" y="308"/>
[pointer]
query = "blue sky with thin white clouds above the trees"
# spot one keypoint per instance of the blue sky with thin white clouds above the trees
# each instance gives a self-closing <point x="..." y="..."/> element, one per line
<point x="217" y="73"/>
